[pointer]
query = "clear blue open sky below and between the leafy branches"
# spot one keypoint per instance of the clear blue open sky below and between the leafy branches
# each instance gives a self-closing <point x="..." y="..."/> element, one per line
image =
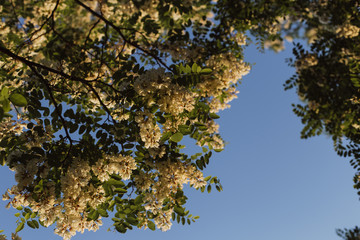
<point x="276" y="186"/>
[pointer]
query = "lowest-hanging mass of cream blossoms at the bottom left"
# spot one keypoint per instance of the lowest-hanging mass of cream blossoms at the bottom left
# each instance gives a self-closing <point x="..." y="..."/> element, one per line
<point x="69" y="210"/>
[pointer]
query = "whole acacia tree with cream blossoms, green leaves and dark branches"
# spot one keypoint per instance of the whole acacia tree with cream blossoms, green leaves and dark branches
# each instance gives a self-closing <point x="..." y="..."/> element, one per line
<point x="96" y="97"/>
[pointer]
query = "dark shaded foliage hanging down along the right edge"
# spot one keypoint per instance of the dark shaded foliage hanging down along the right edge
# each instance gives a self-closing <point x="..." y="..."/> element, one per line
<point x="327" y="80"/>
